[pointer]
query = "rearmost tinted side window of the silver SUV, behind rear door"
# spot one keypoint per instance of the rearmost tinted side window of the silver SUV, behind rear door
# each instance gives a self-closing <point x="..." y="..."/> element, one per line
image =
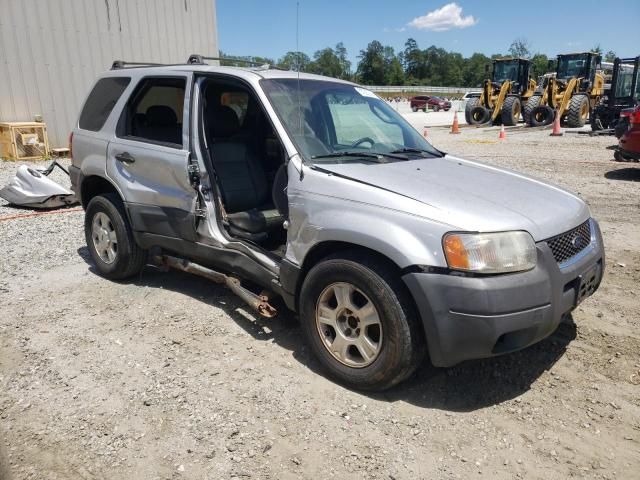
<point x="102" y="99"/>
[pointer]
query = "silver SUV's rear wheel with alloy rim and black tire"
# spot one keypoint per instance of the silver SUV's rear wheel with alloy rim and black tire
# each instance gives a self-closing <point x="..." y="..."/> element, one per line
<point x="104" y="219"/>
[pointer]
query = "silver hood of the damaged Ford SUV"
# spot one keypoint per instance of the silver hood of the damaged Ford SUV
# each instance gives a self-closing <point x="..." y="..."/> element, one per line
<point x="473" y="196"/>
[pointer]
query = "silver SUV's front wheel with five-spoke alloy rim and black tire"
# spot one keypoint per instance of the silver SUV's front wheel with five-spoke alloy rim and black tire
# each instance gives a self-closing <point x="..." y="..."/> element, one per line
<point x="398" y="337"/>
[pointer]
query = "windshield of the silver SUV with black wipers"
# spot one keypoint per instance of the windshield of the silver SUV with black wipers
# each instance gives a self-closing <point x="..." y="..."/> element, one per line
<point x="336" y="122"/>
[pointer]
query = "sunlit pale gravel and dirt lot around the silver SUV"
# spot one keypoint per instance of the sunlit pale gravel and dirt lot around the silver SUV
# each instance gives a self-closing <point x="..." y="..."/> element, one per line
<point x="170" y="376"/>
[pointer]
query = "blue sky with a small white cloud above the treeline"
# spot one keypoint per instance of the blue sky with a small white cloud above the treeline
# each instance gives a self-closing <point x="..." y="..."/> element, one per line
<point x="267" y="27"/>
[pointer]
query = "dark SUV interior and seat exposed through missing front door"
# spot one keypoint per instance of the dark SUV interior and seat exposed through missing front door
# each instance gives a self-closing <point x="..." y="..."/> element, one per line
<point x="248" y="160"/>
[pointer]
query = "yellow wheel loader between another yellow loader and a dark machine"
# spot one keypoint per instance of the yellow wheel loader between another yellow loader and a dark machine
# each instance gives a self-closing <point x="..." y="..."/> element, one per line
<point x="571" y="94"/>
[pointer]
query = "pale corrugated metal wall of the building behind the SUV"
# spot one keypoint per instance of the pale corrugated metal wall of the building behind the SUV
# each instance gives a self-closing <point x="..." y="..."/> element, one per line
<point x="52" y="50"/>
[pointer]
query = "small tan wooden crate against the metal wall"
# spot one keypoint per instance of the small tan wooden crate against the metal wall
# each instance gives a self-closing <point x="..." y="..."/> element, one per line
<point x="23" y="140"/>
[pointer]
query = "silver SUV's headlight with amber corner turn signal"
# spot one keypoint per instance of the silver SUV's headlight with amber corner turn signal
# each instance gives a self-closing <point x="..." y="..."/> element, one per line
<point x="490" y="252"/>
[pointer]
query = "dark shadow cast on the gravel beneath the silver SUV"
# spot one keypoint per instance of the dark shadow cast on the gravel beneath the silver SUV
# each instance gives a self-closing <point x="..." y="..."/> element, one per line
<point x="465" y="387"/>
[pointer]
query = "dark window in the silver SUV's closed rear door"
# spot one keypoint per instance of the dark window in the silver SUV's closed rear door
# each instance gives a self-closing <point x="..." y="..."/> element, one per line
<point x="155" y="111"/>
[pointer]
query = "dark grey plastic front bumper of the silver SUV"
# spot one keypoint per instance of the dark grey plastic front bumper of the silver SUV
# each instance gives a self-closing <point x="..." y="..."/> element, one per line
<point x="476" y="317"/>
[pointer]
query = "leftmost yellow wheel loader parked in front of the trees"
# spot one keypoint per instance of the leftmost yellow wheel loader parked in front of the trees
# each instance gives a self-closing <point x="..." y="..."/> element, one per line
<point x="503" y="95"/>
